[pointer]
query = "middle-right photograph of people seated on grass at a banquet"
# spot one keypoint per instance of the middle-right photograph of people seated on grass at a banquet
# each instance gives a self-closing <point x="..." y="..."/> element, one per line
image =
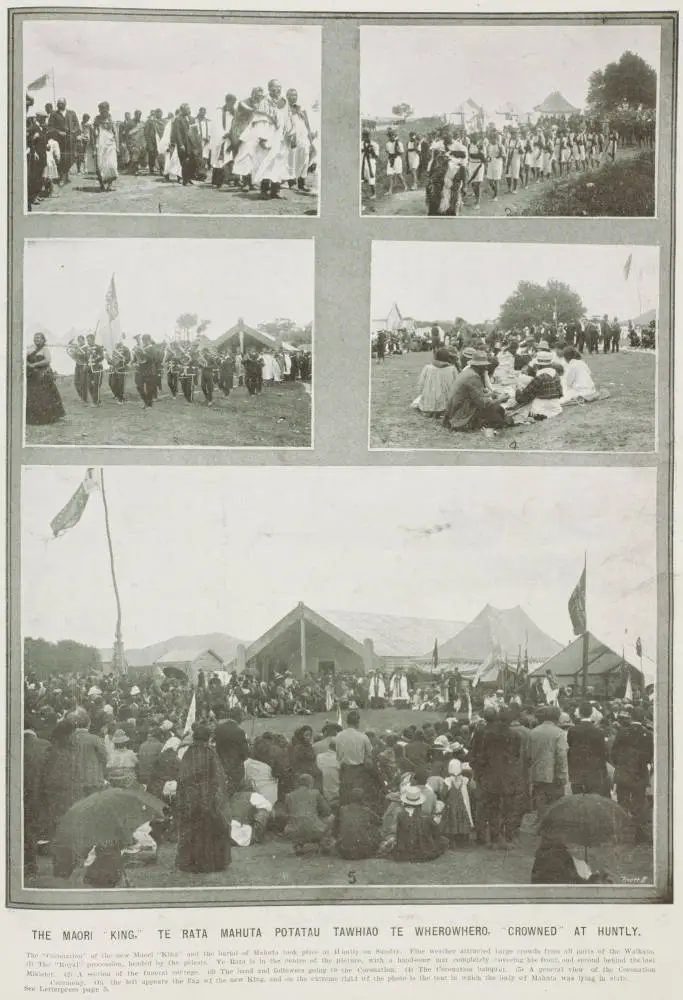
<point x="548" y="347"/>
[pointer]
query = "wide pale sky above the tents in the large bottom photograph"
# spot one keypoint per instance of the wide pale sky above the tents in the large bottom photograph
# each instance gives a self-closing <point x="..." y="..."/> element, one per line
<point x="234" y="549"/>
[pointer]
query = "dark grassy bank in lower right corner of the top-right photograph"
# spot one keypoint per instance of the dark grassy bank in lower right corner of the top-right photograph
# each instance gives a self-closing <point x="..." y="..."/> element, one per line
<point x="625" y="188"/>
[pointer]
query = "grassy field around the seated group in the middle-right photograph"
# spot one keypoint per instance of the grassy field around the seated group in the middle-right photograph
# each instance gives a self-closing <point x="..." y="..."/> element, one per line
<point x="624" y="422"/>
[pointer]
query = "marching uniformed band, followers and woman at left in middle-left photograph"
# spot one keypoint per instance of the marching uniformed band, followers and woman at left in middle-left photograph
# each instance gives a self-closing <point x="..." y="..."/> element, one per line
<point x="185" y="367"/>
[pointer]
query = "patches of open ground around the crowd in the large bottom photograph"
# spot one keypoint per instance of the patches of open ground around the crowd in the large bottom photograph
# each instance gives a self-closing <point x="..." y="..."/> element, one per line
<point x="273" y="863"/>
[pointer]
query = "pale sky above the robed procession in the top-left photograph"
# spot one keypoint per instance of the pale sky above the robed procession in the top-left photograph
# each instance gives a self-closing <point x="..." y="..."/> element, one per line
<point x="136" y="64"/>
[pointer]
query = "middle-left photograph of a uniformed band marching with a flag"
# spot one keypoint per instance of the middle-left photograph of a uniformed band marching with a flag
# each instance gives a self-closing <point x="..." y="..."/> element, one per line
<point x="168" y="343"/>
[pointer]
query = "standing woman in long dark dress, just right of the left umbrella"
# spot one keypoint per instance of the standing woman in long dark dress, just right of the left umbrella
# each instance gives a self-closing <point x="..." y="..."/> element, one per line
<point x="202" y="808"/>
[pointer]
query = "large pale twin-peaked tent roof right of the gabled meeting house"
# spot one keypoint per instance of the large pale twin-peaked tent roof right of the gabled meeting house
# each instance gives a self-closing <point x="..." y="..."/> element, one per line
<point x="509" y="629"/>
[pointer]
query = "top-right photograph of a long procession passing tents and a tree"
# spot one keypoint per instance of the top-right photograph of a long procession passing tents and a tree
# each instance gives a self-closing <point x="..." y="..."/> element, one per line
<point x="529" y="120"/>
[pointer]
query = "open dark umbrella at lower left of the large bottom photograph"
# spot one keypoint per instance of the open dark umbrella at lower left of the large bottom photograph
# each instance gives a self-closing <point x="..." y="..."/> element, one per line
<point x="105" y="817"/>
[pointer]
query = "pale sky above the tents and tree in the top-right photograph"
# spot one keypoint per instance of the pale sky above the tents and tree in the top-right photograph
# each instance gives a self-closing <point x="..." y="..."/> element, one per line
<point x="435" y="69"/>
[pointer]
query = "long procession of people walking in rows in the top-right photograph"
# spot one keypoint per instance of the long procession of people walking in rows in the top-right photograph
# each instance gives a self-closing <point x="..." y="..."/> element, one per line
<point x="458" y="164"/>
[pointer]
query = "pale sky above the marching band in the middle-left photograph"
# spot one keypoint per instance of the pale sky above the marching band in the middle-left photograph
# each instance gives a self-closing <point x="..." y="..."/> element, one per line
<point x="65" y="282"/>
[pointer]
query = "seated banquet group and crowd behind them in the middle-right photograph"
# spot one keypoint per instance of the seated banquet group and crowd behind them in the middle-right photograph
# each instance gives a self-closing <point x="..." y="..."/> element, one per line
<point x="514" y="376"/>
